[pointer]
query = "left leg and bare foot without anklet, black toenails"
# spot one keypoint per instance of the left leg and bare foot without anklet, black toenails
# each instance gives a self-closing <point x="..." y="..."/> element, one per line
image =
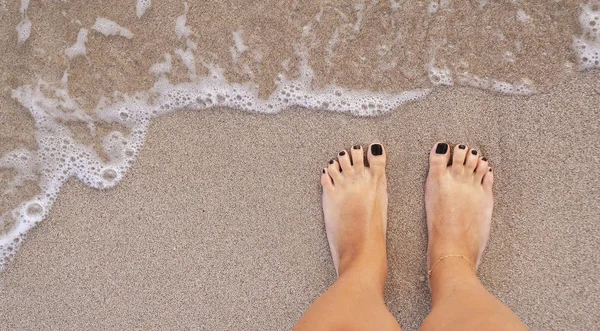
<point x="355" y="210"/>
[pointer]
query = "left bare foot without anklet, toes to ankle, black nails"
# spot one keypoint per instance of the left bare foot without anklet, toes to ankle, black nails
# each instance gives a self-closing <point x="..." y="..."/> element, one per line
<point x="355" y="202"/>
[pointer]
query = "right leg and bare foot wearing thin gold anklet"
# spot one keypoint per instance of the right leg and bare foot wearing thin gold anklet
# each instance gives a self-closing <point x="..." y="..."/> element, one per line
<point x="459" y="205"/>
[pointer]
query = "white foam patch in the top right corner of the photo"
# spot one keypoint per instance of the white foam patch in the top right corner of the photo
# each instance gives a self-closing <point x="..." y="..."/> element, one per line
<point x="587" y="46"/>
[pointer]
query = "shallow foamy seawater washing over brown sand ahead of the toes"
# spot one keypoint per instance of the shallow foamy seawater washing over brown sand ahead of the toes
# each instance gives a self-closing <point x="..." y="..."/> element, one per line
<point x="81" y="81"/>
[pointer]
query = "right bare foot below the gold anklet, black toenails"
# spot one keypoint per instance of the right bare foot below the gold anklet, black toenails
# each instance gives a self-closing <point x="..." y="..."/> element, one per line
<point x="459" y="203"/>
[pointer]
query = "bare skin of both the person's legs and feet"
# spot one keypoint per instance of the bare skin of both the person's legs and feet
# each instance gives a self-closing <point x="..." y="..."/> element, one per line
<point x="459" y="206"/>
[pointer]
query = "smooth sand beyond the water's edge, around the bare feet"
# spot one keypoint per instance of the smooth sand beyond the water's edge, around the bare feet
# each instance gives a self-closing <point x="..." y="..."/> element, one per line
<point x="223" y="230"/>
